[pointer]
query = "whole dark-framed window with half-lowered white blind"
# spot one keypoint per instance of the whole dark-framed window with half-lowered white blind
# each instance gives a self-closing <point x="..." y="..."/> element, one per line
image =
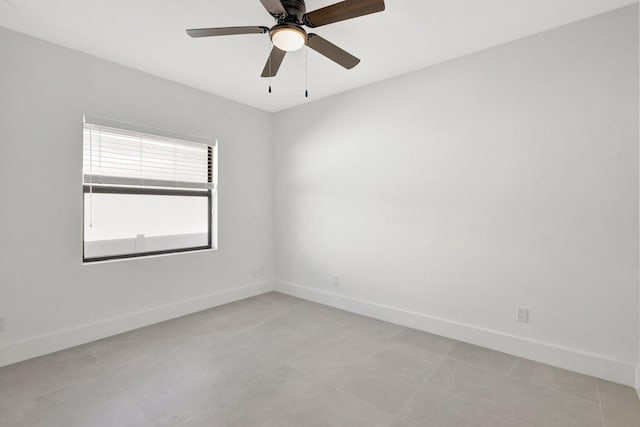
<point x="144" y="193"/>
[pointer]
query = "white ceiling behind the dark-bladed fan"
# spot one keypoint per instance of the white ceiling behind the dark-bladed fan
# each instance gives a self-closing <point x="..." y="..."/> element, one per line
<point x="149" y="35"/>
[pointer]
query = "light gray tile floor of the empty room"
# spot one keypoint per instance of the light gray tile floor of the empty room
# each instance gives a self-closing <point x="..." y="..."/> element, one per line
<point x="278" y="361"/>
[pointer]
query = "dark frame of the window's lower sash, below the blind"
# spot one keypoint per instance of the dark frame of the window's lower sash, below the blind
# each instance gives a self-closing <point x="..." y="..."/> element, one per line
<point x="105" y="189"/>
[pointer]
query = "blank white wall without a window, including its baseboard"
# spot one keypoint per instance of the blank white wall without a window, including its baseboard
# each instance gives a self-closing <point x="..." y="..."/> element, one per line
<point x="446" y="197"/>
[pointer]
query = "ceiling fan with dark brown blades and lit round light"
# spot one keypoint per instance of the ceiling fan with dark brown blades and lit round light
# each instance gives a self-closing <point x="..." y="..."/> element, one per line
<point x="289" y="35"/>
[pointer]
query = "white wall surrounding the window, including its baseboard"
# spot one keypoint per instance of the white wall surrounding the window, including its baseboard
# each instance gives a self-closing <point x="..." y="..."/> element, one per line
<point x="49" y="300"/>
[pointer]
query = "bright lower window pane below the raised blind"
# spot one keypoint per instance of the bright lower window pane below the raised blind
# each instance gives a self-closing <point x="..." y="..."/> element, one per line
<point x="123" y="224"/>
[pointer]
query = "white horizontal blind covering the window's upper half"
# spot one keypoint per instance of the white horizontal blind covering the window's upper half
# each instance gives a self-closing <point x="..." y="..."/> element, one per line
<point x="114" y="156"/>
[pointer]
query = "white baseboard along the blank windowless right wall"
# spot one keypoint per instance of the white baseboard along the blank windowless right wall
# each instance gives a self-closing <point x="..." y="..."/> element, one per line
<point x="575" y="360"/>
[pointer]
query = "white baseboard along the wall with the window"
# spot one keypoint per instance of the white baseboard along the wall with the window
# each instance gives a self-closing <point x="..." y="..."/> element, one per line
<point x="63" y="339"/>
